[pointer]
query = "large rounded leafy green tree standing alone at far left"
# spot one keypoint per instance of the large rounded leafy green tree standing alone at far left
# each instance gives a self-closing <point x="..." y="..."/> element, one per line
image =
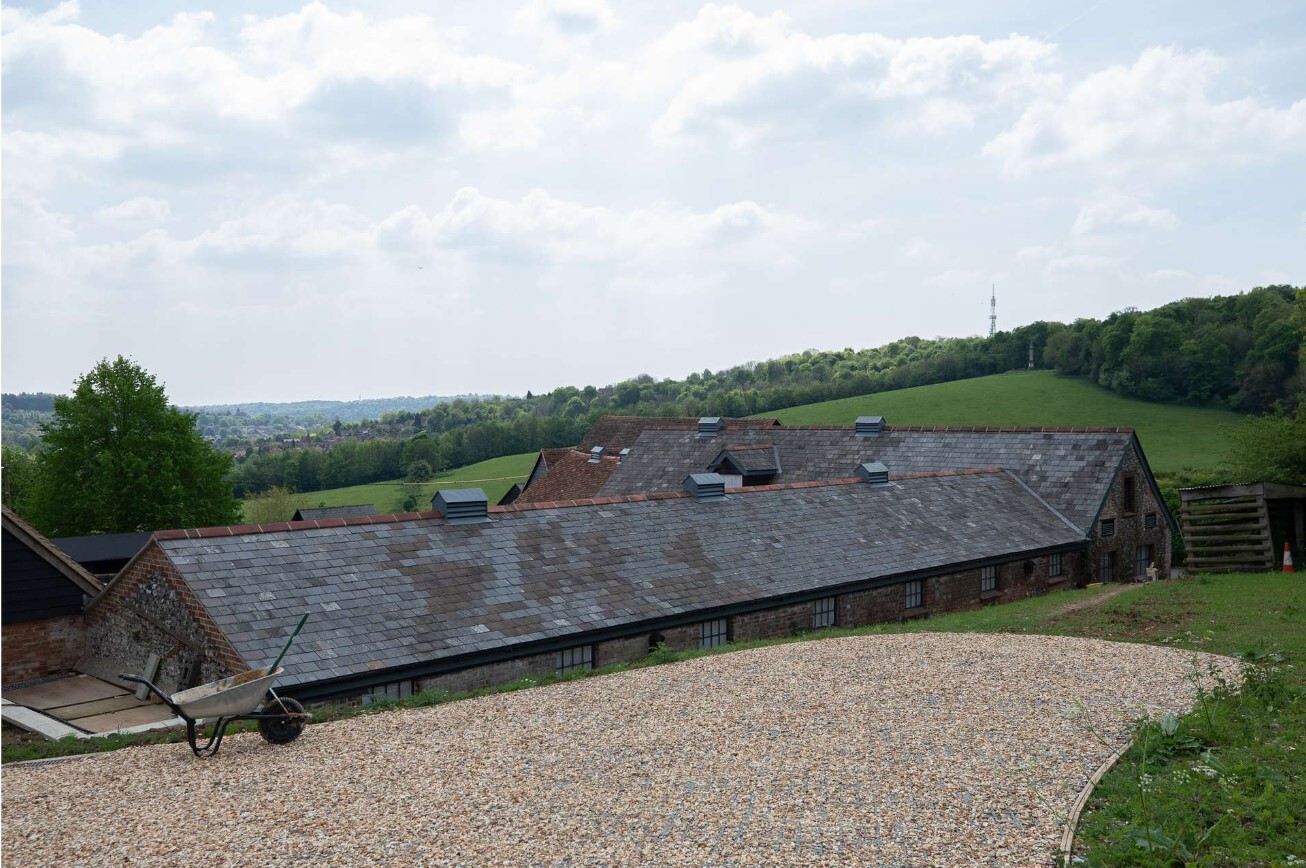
<point x="118" y="459"/>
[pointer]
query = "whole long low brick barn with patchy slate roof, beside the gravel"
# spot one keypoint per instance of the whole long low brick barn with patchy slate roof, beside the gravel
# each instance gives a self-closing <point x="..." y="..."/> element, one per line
<point x="412" y="602"/>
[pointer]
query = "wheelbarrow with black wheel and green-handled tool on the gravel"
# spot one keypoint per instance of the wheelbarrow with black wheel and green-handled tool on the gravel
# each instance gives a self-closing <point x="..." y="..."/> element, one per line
<point x="241" y="698"/>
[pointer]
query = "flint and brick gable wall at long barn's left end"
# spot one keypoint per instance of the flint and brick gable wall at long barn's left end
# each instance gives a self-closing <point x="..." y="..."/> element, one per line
<point x="150" y="610"/>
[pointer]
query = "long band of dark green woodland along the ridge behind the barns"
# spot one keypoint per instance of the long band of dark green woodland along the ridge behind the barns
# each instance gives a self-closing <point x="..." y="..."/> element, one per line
<point x="1241" y="353"/>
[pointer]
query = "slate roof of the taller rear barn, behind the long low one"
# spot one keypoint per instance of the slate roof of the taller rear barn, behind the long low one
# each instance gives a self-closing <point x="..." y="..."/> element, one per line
<point x="1072" y="469"/>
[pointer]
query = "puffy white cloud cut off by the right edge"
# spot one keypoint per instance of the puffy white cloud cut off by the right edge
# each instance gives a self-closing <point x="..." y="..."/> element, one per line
<point x="1159" y="116"/>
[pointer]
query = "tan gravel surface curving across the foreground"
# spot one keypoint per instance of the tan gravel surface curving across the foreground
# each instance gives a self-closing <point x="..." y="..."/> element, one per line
<point x="890" y="750"/>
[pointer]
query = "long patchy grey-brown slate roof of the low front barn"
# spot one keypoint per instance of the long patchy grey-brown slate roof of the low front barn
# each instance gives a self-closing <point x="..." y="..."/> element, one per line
<point x="416" y="592"/>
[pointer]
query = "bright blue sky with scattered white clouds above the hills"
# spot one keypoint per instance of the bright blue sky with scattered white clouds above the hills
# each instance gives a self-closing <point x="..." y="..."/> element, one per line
<point x="267" y="202"/>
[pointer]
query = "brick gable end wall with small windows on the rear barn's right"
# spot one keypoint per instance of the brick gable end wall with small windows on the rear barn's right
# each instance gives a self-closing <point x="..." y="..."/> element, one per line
<point x="1130" y="525"/>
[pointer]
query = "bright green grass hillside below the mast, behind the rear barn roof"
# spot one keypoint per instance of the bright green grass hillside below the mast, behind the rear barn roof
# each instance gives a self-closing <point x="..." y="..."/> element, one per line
<point x="1173" y="438"/>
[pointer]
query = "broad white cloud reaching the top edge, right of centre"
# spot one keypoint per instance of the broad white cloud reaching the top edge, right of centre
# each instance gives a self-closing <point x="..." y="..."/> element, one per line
<point x="761" y="79"/>
